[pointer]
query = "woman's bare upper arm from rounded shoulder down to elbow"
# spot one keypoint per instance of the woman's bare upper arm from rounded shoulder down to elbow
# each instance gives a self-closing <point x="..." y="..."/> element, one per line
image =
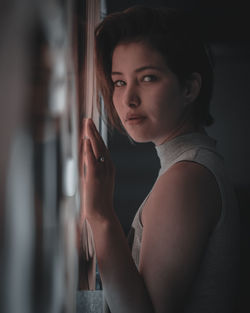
<point x="178" y="218"/>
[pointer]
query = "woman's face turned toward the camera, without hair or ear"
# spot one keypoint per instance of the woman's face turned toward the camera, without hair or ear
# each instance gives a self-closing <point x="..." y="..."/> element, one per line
<point x="148" y="97"/>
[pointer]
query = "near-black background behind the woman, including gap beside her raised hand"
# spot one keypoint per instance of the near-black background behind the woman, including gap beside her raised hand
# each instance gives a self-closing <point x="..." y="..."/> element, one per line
<point x="226" y="28"/>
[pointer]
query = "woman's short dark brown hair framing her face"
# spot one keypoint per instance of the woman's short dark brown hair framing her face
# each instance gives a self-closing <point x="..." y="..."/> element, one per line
<point x="173" y="33"/>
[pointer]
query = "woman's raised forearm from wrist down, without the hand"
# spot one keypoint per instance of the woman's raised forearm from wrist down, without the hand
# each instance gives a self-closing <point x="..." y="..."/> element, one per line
<point x="123" y="285"/>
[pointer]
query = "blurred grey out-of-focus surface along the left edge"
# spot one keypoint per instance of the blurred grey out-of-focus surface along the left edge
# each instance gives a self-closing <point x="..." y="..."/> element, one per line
<point x="39" y="157"/>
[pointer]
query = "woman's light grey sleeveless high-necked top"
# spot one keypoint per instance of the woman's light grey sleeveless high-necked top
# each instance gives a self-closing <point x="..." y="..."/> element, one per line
<point x="216" y="283"/>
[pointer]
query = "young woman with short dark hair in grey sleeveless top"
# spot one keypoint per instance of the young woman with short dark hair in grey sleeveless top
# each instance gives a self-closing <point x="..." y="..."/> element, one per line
<point x="155" y="76"/>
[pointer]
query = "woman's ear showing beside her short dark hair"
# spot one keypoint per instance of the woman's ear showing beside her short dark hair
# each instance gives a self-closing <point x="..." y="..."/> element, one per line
<point x="192" y="88"/>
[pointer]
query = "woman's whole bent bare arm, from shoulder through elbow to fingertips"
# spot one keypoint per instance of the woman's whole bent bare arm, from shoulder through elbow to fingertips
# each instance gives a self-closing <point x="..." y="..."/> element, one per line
<point x="178" y="218"/>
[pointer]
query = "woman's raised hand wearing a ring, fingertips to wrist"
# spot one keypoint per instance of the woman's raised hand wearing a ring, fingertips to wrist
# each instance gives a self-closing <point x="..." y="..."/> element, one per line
<point x="97" y="176"/>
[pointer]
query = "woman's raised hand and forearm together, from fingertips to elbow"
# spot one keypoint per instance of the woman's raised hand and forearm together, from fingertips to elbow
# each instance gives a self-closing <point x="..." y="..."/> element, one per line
<point x="123" y="285"/>
